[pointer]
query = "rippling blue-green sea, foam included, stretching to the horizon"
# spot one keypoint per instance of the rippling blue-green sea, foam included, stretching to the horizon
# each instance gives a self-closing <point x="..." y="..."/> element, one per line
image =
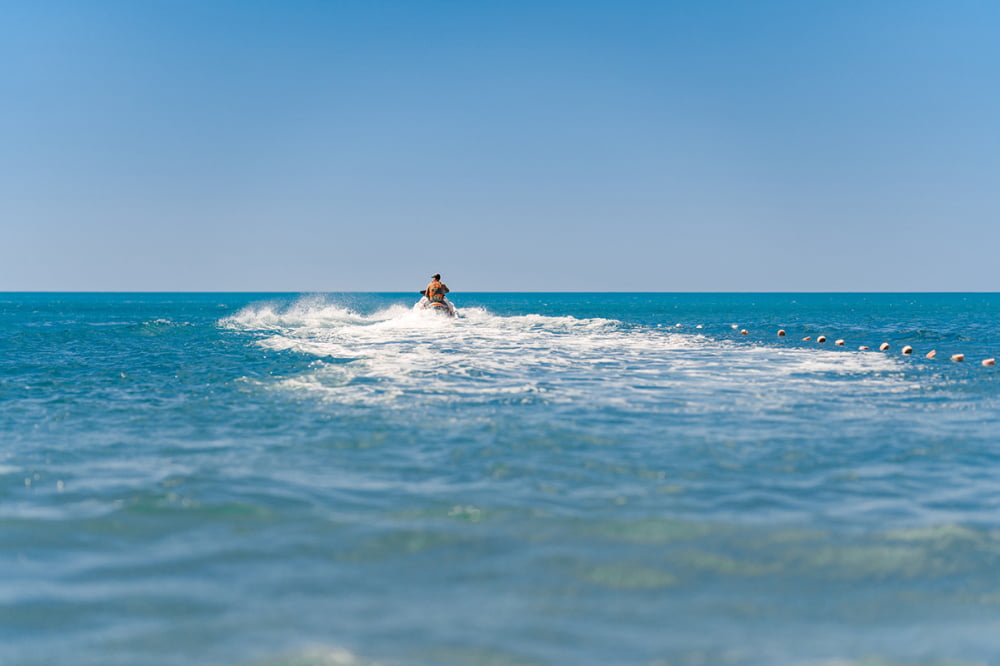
<point x="550" y="479"/>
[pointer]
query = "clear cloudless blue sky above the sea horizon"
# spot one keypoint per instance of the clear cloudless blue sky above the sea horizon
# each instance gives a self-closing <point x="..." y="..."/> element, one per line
<point x="619" y="145"/>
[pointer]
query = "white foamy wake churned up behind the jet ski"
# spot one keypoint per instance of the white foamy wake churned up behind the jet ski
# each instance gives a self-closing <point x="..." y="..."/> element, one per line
<point x="399" y="353"/>
